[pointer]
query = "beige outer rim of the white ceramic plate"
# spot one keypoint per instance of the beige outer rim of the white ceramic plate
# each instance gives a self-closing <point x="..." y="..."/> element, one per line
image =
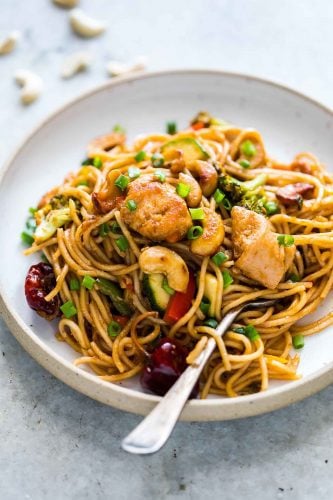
<point x="125" y="398"/>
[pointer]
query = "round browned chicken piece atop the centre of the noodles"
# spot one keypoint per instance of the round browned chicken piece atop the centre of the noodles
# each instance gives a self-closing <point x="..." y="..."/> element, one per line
<point x="160" y="214"/>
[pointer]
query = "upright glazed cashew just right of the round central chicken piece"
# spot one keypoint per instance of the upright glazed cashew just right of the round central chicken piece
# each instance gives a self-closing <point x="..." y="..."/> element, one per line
<point x="212" y="236"/>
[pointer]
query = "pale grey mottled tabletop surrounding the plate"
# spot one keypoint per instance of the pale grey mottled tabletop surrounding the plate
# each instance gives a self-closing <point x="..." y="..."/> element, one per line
<point x="58" y="444"/>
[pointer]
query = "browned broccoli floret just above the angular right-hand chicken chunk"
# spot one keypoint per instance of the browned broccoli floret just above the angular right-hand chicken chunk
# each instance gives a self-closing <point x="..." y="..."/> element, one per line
<point x="245" y="194"/>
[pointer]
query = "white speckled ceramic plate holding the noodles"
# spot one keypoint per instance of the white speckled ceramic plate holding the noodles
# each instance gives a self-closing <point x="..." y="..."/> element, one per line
<point x="289" y="123"/>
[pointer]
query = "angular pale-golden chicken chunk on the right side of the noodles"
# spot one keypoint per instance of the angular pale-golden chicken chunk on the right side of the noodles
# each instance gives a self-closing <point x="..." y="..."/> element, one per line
<point x="258" y="253"/>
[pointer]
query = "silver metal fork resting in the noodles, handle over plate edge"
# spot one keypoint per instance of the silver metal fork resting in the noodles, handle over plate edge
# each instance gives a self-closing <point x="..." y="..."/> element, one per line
<point x="154" y="430"/>
